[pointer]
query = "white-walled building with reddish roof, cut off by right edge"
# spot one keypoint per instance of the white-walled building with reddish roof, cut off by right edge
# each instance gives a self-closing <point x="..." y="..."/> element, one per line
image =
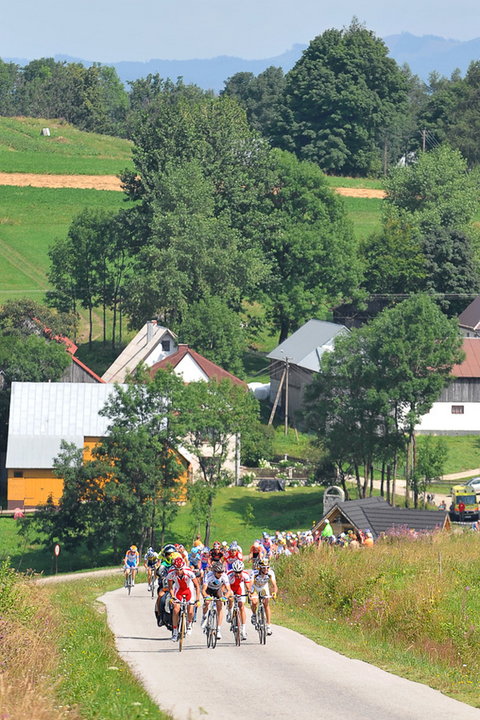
<point x="457" y="411"/>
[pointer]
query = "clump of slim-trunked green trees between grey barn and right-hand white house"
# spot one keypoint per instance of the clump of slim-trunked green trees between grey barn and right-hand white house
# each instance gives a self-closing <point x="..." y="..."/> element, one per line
<point x="373" y="389"/>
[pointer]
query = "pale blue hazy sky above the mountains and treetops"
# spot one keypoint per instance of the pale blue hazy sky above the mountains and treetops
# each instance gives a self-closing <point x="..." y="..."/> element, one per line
<point x="114" y="30"/>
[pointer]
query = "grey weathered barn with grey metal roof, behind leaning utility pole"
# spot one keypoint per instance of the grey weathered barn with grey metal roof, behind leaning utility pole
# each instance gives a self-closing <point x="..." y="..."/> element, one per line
<point x="302" y="351"/>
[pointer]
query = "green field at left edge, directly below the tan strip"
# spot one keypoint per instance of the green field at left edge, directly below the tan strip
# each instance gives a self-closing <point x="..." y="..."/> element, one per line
<point x="30" y="220"/>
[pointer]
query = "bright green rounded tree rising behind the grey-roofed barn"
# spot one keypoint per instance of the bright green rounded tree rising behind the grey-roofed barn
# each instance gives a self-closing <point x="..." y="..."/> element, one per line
<point x="310" y="246"/>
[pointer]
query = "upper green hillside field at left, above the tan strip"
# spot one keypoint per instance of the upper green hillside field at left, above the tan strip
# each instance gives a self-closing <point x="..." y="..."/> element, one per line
<point x="67" y="151"/>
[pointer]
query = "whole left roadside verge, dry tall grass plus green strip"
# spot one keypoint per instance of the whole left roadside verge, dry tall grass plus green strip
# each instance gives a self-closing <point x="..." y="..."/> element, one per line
<point x="58" y="655"/>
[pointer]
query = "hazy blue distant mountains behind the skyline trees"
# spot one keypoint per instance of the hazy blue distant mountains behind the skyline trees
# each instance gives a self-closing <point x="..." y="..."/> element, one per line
<point x="423" y="54"/>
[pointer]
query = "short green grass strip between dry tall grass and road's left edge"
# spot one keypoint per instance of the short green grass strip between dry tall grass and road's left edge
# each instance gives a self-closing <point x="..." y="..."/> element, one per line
<point x="93" y="678"/>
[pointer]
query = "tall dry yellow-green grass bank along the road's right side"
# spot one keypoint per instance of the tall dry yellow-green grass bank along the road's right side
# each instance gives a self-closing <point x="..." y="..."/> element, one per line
<point x="411" y="607"/>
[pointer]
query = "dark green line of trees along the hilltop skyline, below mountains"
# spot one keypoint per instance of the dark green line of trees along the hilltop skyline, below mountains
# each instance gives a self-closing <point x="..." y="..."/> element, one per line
<point x="345" y="105"/>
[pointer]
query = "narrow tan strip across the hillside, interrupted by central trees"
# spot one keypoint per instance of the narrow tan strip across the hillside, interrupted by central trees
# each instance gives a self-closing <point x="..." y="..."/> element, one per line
<point x="111" y="182"/>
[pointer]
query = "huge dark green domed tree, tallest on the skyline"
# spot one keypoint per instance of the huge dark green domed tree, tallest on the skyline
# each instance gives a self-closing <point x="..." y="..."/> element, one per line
<point x="339" y="99"/>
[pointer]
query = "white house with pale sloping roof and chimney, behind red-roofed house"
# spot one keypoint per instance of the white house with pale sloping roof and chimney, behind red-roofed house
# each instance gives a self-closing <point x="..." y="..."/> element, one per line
<point x="150" y="345"/>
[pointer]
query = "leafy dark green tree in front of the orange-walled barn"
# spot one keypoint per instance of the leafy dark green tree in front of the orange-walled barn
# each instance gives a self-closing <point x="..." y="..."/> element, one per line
<point x="141" y="453"/>
